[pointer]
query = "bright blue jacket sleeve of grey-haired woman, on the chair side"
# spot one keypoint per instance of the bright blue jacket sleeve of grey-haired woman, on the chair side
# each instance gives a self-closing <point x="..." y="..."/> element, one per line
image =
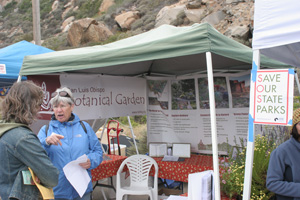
<point x="96" y="154"/>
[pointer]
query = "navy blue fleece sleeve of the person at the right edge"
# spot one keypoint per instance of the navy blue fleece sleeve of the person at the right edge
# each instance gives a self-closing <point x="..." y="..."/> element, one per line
<point x="275" y="176"/>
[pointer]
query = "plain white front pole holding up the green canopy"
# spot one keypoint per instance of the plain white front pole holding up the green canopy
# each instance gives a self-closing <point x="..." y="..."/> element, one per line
<point x="212" y="109"/>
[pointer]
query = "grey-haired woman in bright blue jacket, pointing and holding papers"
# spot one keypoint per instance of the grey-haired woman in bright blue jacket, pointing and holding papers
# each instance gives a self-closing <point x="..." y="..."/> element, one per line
<point x="65" y="139"/>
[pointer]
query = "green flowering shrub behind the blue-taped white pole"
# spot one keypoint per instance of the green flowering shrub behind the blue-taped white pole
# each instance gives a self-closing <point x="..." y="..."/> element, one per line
<point x="232" y="172"/>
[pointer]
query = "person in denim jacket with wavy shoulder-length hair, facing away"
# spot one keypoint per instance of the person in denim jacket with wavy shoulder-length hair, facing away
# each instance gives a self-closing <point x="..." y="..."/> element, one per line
<point x="20" y="148"/>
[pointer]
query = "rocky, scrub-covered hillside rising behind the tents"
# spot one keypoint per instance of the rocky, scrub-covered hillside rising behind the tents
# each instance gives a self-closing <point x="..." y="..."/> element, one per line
<point x="75" y="23"/>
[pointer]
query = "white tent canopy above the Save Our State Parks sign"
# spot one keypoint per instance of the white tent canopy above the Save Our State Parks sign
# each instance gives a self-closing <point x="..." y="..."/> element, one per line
<point x="277" y="30"/>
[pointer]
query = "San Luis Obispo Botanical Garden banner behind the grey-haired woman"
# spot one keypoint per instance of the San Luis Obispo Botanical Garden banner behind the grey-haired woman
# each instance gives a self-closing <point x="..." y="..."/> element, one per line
<point x="96" y="96"/>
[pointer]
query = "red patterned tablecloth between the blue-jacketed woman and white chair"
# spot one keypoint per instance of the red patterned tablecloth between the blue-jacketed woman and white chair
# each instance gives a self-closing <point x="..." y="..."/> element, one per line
<point x="107" y="168"/>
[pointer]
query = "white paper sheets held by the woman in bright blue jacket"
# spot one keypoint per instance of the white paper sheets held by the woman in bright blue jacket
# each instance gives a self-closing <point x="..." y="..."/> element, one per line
<point x="77" y="175"/>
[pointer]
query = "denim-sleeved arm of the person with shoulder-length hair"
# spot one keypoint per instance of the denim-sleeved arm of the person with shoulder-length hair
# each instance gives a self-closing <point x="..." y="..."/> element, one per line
<point x="32" y="154"/>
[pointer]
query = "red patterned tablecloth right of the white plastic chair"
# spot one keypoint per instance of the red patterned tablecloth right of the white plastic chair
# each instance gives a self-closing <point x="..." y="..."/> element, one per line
<point x="180" y="170"/>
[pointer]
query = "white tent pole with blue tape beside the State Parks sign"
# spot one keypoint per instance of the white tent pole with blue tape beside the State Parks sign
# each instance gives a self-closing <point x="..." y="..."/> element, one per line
<point x="251" y="130"/>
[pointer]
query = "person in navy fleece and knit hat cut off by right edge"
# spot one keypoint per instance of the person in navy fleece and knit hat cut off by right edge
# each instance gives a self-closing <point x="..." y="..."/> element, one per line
<point x="283" y="177"/>
